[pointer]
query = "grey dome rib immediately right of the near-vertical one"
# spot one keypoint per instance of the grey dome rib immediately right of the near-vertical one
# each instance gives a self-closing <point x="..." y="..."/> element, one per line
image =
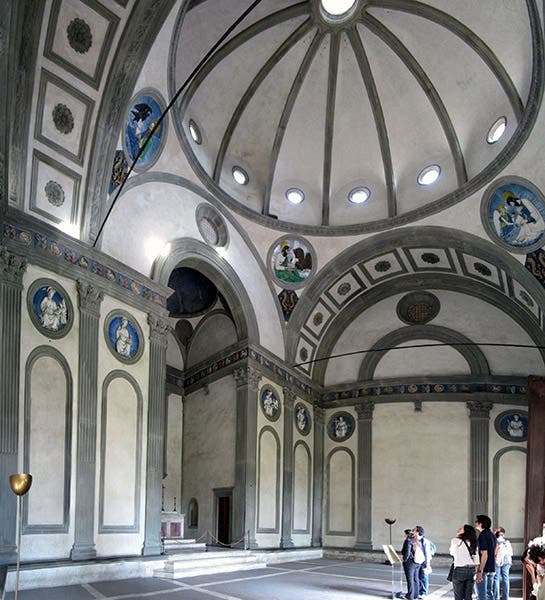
<point x="380" y="123"/>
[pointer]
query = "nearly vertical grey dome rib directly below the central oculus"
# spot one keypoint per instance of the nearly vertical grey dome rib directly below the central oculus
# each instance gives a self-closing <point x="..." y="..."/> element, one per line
<point x="330" y="122"/>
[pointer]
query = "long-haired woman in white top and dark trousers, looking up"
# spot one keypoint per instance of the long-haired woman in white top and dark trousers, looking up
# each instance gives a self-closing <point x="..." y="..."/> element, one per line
<point x="463" y="549"/>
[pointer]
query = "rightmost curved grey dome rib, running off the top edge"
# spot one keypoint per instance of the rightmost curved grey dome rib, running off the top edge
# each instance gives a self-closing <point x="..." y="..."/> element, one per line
<point x="467" y="36"/>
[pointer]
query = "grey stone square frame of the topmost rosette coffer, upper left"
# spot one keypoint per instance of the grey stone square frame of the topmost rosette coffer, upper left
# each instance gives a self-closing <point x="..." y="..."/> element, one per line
<point x="94" y="79"/>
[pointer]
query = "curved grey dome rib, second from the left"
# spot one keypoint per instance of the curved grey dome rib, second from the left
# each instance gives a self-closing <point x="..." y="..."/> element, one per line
<point x="271" y="62"/>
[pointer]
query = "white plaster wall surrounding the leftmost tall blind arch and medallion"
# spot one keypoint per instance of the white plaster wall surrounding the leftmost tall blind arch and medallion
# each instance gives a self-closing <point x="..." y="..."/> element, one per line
<point x="48" y="546"/>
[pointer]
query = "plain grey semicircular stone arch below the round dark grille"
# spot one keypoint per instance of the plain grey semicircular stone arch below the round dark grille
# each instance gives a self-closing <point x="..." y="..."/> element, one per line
<point x="471" y="353"/>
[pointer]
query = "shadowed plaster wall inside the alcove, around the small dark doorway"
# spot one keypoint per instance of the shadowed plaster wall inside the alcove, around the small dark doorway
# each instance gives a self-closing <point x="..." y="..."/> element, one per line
<point x="208" y="449"/>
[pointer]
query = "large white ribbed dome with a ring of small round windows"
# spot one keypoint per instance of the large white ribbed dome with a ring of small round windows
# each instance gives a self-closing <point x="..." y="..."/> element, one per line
<point x="300" y="102"/>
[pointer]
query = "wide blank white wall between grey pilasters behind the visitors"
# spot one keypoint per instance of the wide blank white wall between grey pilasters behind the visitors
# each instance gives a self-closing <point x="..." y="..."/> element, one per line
<point x="420" y="470"/>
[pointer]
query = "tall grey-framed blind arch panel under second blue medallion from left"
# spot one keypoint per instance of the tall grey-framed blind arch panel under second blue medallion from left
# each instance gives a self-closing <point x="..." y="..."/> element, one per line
<point x="137" y="453"/>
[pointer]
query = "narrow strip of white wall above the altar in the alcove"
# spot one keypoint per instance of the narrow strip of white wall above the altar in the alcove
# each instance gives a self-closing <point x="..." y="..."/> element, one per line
<point x="172" y="493"/>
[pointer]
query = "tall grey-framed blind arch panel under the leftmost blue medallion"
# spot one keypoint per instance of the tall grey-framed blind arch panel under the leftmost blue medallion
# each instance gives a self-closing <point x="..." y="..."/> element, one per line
<point x="64" y="472"/>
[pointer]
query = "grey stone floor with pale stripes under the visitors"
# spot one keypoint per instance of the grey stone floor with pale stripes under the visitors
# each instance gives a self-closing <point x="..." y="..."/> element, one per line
<point x="318" y="579"/>
